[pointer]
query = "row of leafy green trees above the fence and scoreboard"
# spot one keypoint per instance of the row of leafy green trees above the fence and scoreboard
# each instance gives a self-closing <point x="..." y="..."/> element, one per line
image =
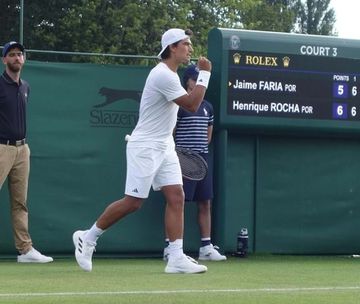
<point x="134" y="27"/>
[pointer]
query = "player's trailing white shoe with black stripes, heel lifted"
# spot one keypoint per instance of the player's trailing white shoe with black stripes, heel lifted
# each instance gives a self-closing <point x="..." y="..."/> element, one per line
<point x="83" y="250"/>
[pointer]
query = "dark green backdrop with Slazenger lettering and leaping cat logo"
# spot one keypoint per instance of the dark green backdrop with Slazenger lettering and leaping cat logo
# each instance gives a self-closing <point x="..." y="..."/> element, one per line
<point x="78" y="115"/>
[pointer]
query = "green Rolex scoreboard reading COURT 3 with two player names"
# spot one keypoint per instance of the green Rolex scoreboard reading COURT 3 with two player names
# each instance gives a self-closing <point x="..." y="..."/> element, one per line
<point x="276" y="81"/>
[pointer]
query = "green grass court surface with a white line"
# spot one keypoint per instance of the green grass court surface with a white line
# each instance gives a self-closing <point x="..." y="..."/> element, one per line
<point x="270" y="279"/>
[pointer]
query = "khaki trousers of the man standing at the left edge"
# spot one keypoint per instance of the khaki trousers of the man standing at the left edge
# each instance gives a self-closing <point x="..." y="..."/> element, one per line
<point x="15" y="165"/>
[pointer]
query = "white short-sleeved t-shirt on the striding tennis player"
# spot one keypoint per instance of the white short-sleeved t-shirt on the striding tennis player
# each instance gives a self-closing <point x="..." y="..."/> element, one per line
<point x="158" y="111"/>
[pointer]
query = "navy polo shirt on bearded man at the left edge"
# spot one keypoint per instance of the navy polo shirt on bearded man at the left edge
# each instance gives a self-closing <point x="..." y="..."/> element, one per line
<point x="13" y="100"/>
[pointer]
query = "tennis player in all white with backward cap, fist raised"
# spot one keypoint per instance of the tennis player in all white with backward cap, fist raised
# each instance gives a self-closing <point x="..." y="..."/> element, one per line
<point x="151" y="156"/>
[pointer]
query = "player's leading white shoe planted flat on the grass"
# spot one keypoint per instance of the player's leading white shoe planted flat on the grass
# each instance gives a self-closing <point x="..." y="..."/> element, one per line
<point x="183" y="264"/>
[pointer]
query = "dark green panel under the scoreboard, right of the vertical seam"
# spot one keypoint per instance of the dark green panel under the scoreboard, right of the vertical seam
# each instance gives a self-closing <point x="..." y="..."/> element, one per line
<point x="308" y="196"/>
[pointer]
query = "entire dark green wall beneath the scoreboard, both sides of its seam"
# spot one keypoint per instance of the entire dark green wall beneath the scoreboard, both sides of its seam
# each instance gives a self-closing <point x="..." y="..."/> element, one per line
<point x="296" y="195"/>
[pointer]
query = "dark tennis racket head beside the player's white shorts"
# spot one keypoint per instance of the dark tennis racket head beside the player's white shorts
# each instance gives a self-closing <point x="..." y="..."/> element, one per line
<point x="193" y="166"/>
